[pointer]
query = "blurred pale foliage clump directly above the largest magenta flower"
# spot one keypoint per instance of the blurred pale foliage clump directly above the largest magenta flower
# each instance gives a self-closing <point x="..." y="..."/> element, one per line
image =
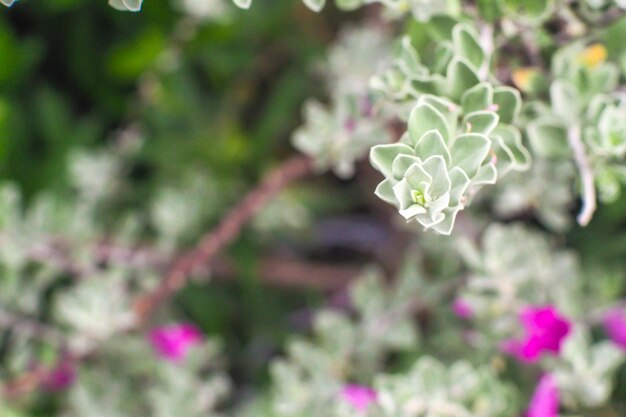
<point x="515" y="267"/>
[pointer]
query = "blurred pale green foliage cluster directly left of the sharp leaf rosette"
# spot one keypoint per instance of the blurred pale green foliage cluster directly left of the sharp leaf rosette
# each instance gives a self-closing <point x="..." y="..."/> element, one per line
<point x="338" y="135"/>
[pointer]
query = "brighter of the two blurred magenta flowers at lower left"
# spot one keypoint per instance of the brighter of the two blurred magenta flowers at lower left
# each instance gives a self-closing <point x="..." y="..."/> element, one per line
<point x="174" y="341"/>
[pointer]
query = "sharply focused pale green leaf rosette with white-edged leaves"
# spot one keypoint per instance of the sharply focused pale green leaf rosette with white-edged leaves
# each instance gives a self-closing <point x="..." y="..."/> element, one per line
<point x="435" y="170"/>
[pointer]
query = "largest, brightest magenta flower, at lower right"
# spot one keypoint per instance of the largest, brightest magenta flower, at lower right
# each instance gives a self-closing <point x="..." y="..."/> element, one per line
<point x="545" y="332"/>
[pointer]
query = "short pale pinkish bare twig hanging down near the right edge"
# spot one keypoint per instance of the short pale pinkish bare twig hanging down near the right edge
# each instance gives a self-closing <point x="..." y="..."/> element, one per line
<point x="586" y="175"/>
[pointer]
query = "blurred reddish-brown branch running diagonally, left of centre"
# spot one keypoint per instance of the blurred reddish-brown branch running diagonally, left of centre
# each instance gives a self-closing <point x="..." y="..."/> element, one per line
<point x="225" y="232"/>
